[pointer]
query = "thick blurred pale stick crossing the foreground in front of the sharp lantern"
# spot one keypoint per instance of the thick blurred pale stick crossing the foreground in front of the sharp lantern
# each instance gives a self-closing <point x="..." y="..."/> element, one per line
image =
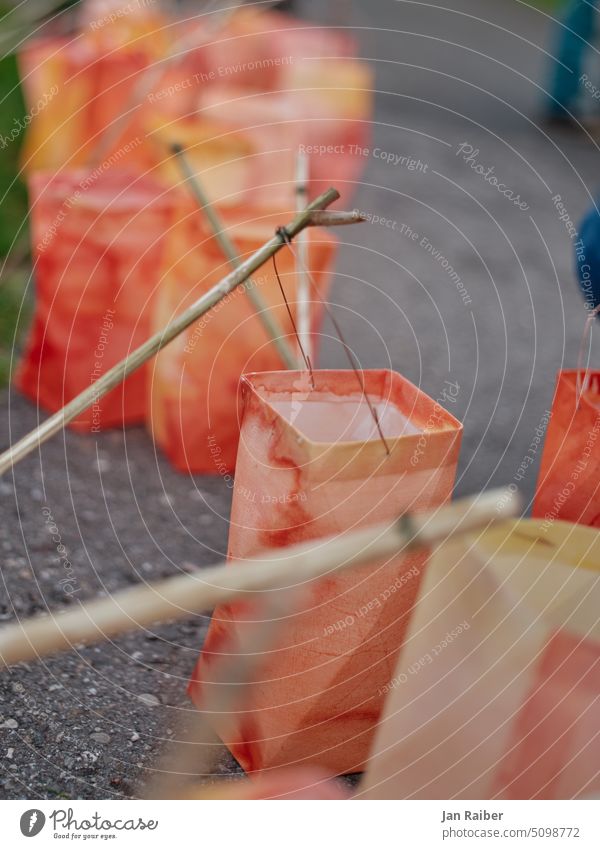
<point x="181" y="596"/>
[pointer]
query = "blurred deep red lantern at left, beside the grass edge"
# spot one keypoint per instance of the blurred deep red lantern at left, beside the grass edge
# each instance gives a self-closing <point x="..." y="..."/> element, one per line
<point x="96" y="241"/>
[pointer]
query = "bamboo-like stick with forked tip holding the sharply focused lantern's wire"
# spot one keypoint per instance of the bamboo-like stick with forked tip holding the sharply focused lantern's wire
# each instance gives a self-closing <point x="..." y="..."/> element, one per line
<point x="114" y="376"/>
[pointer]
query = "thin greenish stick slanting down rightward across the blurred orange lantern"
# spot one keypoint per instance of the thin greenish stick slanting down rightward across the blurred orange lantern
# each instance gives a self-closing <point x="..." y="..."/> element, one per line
<point x="266" y="317"/>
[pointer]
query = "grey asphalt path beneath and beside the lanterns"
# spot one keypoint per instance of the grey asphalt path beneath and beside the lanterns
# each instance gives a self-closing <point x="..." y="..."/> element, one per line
<point x="444" y="77"/>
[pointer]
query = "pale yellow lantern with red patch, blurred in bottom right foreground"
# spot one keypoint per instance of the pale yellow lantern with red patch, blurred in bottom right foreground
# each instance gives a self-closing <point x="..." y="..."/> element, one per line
<point x="496" y="692"/>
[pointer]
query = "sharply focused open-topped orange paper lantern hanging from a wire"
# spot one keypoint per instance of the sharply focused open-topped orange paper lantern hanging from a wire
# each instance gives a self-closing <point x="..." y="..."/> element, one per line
<point x="311" y="464"/>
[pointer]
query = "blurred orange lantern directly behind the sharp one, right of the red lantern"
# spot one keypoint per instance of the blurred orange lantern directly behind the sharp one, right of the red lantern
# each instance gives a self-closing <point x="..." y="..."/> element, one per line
<point x="194" y="381"/>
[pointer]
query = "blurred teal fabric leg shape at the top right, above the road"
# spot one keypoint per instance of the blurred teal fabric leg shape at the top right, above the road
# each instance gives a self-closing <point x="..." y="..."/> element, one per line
<point x="572" y="43"/>
